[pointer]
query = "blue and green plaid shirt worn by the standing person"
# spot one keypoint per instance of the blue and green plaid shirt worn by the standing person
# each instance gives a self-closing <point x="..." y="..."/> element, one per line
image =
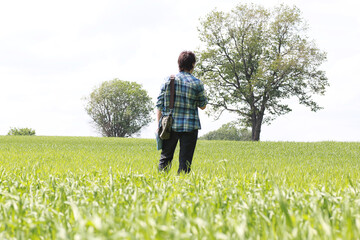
<point x="189" y="95"/>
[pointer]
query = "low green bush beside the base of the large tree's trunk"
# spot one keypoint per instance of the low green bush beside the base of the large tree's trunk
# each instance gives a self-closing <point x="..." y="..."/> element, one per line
<point x="228" y="131"/>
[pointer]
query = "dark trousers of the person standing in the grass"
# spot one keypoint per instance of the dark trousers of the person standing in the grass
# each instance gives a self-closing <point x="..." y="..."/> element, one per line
<point x="187" y="147"/>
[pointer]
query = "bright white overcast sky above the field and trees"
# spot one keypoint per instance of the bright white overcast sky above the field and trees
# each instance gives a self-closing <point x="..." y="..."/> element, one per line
<point x="53" y="53"/>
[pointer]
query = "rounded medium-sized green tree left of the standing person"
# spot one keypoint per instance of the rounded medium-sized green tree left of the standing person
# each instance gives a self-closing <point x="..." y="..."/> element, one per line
<point x="119" y="108"/>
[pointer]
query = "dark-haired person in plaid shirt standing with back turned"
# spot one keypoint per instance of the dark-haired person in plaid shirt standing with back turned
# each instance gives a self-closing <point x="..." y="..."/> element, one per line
<point x="189" y="96"/>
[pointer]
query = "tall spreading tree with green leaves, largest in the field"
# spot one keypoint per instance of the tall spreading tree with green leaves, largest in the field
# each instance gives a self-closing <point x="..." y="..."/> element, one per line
<point x="253" y="58"/>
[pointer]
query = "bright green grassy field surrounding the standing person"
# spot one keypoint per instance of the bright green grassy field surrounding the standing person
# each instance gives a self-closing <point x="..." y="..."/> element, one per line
<point x="109" y="188"/>
